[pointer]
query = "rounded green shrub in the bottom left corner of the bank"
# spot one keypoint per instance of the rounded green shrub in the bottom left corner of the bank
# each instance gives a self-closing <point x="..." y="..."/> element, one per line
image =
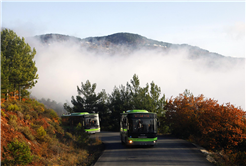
<point x="17" y="153"/>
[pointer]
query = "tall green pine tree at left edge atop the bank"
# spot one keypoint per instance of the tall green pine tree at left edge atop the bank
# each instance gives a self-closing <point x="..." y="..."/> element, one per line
<point x="17" y="63"/>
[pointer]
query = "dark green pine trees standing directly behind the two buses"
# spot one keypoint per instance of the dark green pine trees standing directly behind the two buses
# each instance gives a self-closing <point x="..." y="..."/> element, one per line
<point x="122" y="98"/>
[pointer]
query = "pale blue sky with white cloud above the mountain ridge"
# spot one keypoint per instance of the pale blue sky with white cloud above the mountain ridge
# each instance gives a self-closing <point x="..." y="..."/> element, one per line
<point x="217" y="26"/>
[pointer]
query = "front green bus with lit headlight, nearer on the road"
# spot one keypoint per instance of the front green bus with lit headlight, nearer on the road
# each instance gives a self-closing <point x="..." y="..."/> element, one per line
<point x="138" y="127"/>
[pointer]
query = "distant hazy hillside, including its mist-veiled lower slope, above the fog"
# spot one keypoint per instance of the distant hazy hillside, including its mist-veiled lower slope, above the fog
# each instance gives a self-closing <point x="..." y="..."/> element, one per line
<point x="127" y="43"/>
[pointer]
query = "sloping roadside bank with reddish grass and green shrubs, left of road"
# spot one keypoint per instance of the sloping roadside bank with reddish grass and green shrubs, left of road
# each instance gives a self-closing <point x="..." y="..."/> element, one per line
<point x="31" y="134"/>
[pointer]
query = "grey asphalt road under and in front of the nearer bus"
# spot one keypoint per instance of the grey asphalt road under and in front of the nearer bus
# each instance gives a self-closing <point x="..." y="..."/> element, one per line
<point x="169" y="151"/>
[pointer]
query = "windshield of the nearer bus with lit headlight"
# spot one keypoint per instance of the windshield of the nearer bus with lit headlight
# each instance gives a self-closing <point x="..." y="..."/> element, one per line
<point x="142" y="126"/>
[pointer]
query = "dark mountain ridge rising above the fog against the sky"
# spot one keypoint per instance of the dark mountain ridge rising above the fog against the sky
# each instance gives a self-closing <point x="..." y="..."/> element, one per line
<point x="111" y="44"/>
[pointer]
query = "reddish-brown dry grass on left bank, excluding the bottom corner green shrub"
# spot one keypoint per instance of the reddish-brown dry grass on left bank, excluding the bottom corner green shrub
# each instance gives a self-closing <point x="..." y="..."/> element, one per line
<point x="59" y="149"/>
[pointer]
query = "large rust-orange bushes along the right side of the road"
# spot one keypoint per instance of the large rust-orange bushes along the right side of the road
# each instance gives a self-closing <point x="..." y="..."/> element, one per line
<point x="210" y="124"/>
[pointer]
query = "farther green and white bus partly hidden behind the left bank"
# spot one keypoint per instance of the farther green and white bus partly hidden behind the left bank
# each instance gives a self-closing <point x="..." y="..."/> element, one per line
<point x="90" y="121"/>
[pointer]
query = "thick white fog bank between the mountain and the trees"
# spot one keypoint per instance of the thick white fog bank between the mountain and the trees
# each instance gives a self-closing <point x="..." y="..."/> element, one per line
<point x="62" y="67"/>
